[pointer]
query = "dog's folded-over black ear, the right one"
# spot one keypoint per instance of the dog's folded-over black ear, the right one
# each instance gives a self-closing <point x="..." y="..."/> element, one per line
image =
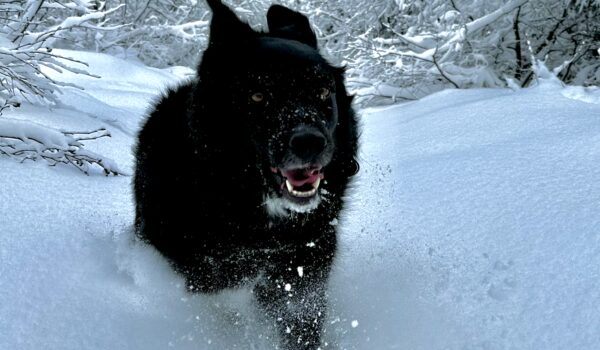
<point x="288" y="24"/>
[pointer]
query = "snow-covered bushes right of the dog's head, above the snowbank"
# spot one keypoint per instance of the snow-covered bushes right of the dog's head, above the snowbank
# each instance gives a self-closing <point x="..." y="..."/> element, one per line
<point x="405" y="49"/>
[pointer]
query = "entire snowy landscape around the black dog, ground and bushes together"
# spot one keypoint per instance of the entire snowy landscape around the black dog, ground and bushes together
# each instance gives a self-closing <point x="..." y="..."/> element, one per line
<point x="472" y="225"/>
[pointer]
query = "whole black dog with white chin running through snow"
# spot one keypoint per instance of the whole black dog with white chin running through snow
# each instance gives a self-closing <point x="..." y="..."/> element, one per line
<point x="241" y="173"/>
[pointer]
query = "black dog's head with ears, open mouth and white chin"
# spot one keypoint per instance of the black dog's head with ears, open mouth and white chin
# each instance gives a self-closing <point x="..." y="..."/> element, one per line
<point x="288" y="99"/>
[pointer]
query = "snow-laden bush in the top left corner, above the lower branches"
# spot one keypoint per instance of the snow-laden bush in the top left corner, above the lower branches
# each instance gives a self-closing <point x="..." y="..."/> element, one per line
<point x="28" y="32"/>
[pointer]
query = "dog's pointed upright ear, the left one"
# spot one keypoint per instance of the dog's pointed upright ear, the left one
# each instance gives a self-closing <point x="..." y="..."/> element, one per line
<point x="225" y="26"/>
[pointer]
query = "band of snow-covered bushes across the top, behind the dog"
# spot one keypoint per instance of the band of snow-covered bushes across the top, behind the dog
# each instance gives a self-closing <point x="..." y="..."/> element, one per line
<point x="394" y="50"/>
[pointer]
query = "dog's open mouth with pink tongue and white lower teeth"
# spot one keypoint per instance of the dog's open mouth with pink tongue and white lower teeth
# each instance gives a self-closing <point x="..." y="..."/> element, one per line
<point x="300" y="184"/>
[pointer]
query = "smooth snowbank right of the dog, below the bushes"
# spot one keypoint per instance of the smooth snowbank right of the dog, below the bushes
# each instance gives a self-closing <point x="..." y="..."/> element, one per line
<point x="481" y="212"/>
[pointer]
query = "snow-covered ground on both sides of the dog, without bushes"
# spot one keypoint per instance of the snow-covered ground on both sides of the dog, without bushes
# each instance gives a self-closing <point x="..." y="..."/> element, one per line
<point x="474" y="224"/>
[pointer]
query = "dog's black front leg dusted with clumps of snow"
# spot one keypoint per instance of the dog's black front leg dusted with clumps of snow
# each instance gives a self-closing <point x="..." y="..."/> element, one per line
<point x="293" y="295"/>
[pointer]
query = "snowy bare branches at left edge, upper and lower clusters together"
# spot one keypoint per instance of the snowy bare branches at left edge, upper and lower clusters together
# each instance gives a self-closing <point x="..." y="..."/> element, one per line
<point x="29" y="30"/>
